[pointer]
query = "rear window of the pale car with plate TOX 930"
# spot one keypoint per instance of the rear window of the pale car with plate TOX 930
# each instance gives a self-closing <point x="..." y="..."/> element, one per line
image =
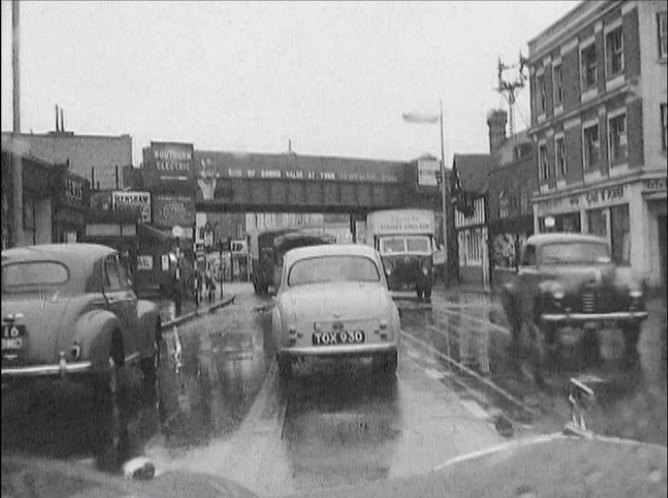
<point x="333" y="269"/>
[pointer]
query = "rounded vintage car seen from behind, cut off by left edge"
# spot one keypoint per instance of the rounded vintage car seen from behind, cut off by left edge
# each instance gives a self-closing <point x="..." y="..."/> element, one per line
<point x="69" y="312"/>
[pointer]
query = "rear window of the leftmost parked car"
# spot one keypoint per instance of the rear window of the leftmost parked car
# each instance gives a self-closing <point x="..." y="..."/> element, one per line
<point x="33" y="276"/>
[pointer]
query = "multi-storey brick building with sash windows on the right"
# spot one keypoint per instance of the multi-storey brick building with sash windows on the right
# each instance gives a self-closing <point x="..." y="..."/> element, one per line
<point x="598" y="119"/>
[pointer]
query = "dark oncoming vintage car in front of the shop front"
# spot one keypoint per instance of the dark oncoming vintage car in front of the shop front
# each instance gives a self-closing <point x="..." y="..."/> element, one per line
<point x="569" y="279"/>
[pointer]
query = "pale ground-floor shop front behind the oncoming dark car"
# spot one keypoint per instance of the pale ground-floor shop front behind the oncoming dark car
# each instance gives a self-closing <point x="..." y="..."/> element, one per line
<point x="630" y="214"/>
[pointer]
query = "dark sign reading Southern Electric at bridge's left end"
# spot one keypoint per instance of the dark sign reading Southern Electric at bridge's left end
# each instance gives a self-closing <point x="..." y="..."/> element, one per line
<point x="168" y="166"/>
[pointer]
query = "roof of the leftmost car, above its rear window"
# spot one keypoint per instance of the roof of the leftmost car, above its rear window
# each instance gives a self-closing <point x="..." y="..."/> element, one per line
<point x="74" y="255"/>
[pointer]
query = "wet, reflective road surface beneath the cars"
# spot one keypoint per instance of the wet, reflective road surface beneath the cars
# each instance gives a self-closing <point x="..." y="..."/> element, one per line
<point x="220" y="407"/>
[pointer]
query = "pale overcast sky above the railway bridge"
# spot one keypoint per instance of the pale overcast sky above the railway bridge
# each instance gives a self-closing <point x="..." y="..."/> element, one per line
<point x="333" y="77"/>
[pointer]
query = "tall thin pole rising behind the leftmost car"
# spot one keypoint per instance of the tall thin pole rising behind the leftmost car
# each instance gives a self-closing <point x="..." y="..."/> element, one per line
<point x="17" y="166"/>
